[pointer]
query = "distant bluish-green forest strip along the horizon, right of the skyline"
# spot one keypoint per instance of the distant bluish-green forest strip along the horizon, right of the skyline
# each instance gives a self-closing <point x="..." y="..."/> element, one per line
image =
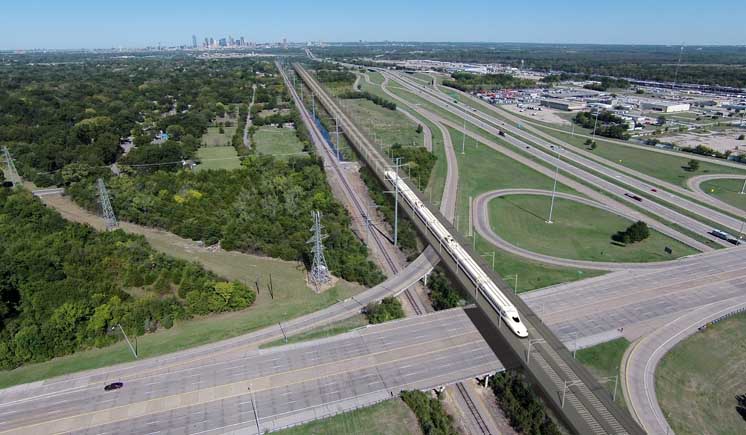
<point x="710" y="65"/>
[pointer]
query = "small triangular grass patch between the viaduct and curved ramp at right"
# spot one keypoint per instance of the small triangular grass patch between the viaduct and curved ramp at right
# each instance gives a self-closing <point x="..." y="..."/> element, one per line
<point x="603" y="361"/>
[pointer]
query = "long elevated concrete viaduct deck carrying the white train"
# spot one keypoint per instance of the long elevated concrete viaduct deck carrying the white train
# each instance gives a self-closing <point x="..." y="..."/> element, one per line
<point x="587" y="408"/>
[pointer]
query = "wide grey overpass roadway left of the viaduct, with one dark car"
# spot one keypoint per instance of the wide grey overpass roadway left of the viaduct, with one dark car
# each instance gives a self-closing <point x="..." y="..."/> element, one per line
<point x="287" y="385"/>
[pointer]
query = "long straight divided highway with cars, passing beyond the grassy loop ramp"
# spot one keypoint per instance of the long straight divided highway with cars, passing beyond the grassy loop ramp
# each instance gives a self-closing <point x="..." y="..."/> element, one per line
<point x="548" y="153"/>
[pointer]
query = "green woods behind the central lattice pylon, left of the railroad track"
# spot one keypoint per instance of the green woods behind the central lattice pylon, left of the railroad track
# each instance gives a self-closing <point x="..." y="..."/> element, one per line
<point x="263" y="208"/>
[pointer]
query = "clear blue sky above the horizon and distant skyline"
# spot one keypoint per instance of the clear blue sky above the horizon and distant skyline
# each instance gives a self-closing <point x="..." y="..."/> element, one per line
<point x="135" y="23"/>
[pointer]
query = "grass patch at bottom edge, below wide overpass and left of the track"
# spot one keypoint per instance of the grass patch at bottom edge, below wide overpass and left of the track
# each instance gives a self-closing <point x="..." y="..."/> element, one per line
<point x="392" y="417"/>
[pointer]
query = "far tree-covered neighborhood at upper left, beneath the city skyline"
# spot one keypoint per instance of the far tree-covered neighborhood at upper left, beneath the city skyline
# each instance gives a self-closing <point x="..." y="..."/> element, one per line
<point x="80" y="110"/>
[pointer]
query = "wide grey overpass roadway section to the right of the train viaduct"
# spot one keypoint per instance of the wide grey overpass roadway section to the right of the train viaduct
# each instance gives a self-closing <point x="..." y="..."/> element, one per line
<point x="638" y="301"/>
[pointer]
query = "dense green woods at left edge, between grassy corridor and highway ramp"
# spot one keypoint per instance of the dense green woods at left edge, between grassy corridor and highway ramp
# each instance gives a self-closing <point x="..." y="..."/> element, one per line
<point x="63" y="285"/>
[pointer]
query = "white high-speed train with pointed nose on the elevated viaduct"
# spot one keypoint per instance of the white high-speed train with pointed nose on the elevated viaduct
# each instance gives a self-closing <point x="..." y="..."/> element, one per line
<point x="478" y="277"/>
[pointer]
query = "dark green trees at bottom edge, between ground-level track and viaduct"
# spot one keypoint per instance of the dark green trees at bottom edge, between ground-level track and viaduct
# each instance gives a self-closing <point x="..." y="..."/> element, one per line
<point x="525" y="411"/>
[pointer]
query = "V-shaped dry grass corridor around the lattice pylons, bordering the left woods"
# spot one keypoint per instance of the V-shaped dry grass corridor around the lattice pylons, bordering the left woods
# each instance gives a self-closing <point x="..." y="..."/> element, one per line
<point x="292" y="298"/>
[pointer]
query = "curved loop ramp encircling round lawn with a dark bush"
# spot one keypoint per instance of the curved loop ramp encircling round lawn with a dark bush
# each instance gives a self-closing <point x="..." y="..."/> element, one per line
<point x="482" y="225"/>
